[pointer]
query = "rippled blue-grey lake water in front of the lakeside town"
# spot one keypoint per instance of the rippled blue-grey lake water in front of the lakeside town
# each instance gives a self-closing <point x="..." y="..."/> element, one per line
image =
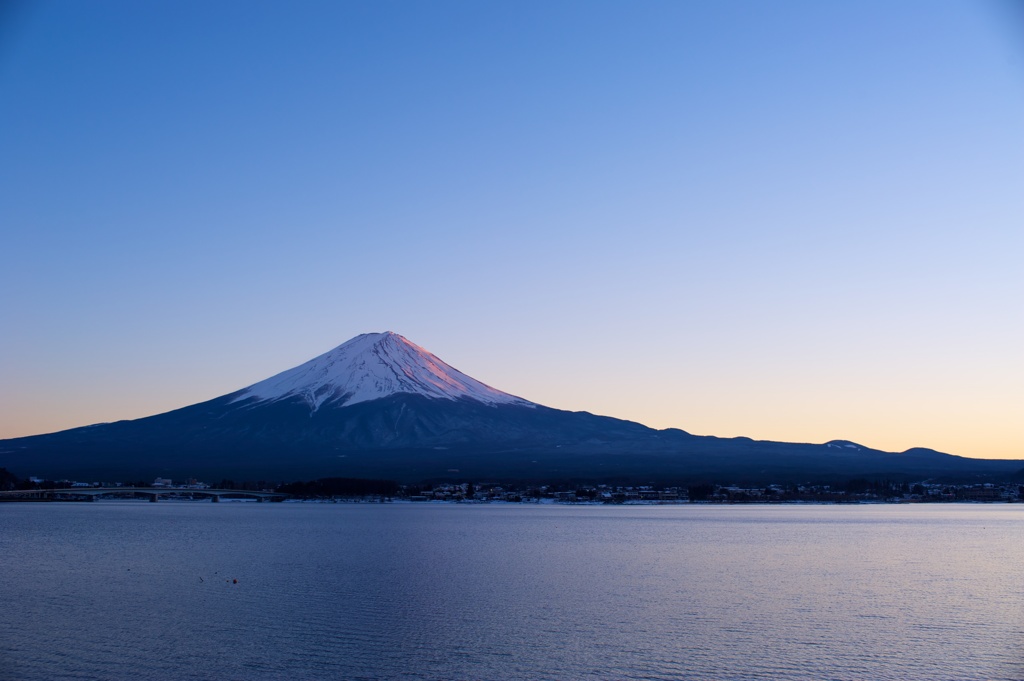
<point x="127" y="590"/>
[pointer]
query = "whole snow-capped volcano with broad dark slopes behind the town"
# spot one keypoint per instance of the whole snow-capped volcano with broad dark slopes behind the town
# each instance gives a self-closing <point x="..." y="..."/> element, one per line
<point x="380" y="406"/>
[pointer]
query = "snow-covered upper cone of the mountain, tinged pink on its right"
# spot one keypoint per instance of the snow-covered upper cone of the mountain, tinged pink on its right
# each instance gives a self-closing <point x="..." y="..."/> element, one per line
<point x="370" y="367"/>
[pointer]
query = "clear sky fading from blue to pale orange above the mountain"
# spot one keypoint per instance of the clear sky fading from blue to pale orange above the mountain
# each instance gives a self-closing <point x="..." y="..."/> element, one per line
<point x="789" y="221"/>
